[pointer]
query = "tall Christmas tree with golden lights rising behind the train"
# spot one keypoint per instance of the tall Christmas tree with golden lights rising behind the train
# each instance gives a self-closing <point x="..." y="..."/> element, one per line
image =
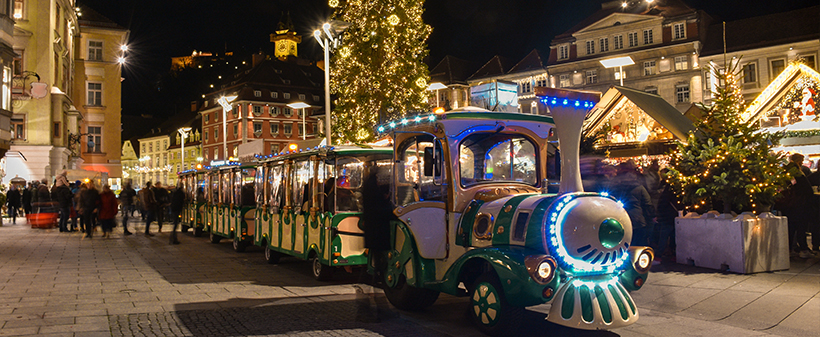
<point x="377" y="73"/>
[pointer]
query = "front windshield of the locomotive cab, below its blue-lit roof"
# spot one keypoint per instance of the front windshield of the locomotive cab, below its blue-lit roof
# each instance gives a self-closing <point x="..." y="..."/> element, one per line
<point x="497" y="157"/>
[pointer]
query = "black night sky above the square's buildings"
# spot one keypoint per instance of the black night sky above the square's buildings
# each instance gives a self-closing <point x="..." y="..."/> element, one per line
<point x="469" y="29"/>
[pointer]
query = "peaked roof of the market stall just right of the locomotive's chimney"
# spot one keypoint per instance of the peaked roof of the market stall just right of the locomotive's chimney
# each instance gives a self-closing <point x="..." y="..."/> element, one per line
<point x="653" y="105"/>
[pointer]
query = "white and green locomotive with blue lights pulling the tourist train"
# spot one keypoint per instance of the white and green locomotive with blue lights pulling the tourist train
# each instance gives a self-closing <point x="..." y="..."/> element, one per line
<point x="475" y="219"/>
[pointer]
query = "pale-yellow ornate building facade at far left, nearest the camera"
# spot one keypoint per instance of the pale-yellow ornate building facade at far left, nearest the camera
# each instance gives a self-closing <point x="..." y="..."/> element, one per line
<point x="44" y="111"/>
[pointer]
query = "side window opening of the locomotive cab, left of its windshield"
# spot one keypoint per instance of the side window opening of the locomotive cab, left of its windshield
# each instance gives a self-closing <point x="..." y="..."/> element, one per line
<point x="419" y="171"/>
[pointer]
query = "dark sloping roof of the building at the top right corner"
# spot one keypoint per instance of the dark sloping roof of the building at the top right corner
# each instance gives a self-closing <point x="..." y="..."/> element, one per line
<point x="764" y="31"/>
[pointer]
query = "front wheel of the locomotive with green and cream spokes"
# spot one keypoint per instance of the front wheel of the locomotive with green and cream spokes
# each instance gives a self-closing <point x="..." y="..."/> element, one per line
<point x="489" y="309"/>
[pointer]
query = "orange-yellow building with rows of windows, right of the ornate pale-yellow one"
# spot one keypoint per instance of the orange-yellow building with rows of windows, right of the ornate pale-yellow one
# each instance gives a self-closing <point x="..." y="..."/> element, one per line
<point x="98" y="94"/>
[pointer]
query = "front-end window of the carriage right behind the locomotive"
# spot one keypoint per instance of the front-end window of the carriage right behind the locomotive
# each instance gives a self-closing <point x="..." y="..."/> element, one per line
<point x="349" y="176"/>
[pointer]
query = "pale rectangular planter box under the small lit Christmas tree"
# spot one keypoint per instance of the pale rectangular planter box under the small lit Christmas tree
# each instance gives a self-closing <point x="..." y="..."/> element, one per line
<point x="743" y="244"/>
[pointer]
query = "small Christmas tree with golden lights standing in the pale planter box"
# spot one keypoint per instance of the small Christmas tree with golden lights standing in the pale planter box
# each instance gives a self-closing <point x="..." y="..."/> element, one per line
<point x="727" y="161"/>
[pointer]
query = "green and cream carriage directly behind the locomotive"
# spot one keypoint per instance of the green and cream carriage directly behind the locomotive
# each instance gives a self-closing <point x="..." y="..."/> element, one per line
<point x="310" y="205"/>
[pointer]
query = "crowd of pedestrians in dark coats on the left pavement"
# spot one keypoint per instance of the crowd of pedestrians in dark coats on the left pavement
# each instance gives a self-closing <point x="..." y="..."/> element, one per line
<point x="80" y="206"/>
